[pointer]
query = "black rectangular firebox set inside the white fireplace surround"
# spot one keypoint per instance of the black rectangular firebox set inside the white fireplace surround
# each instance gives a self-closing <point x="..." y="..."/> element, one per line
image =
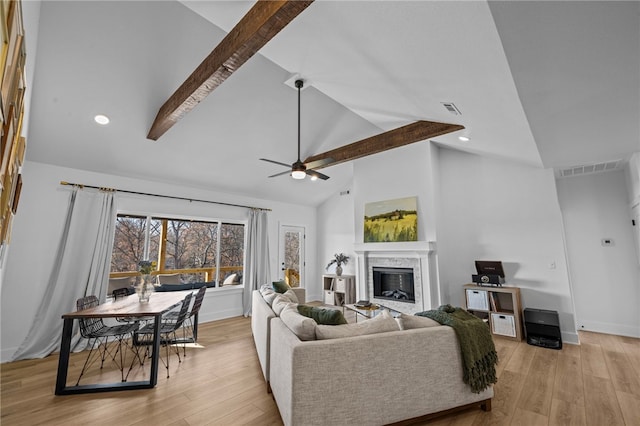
<point x="394" y="284"/>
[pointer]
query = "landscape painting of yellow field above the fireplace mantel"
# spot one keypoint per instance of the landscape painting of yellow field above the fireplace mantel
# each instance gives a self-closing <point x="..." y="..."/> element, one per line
<point x="391" y="221"/>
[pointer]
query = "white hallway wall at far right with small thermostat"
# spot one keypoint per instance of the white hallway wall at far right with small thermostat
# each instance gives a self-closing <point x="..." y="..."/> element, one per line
<point x="606" y="279"/>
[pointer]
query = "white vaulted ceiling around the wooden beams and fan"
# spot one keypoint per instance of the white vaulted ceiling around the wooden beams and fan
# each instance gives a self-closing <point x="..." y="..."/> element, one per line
<point x="541" y="83"/>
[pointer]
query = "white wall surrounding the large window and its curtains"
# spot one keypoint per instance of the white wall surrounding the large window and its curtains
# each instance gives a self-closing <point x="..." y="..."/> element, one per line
<point x="37" y="228"/>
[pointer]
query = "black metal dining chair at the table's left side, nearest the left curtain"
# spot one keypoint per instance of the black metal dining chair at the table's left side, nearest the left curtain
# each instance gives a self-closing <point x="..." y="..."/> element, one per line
<point x="99" y="334"/>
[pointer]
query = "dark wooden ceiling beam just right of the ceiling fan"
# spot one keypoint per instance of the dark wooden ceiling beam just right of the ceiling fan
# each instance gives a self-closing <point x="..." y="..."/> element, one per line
<point x="405" y="135"/>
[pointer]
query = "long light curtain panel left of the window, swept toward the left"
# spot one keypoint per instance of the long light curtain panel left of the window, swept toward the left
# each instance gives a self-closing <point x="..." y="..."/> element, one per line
<point x="81" y="268"/>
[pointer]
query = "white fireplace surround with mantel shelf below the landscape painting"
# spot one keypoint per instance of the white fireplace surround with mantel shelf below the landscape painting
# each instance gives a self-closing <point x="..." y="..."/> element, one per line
<point x="427" y="294"/>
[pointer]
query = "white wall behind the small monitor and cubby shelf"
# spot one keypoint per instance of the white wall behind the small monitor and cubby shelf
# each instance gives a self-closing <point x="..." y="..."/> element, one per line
<point x="495" y="210"/>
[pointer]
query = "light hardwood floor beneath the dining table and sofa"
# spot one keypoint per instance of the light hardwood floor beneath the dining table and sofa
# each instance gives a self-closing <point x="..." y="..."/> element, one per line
<point x="596" y="383"/>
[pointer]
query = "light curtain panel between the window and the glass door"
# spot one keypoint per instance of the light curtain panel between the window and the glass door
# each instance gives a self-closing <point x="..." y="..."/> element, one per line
<point x="257" y="267"/>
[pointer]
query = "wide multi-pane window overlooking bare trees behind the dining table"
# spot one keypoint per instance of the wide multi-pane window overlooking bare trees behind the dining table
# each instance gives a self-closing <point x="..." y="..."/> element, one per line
<point x="200" y="251"/>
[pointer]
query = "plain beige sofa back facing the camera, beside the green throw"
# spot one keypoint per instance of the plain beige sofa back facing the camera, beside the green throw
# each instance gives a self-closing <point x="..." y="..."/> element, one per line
<point x="373" y="379"/>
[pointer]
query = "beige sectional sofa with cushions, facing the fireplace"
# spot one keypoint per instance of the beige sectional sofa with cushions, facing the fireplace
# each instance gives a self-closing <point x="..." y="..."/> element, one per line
<point x="379" y="371"/>
